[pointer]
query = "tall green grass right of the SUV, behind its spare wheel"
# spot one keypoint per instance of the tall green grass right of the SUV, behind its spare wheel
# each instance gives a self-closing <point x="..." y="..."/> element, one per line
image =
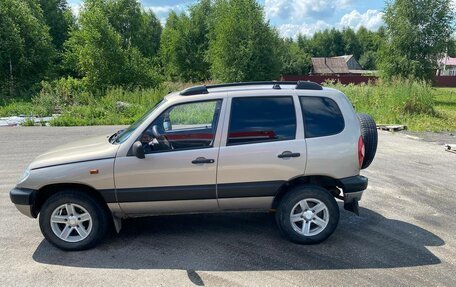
<point x="416" y="105"/>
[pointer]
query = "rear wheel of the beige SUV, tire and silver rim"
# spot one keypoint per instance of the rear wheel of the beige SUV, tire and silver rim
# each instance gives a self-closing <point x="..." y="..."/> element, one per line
<point x="307" y="215"/>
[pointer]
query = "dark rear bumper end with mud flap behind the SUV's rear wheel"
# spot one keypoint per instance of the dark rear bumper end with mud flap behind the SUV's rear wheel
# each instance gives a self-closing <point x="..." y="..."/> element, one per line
<point x="353" y="188"/>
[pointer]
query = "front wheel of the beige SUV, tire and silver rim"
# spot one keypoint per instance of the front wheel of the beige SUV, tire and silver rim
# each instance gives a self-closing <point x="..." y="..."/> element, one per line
<point x="73" y="221"/>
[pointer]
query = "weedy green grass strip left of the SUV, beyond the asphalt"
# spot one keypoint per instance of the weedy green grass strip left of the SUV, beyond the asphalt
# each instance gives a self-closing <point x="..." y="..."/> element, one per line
<point x="80" y="108"/>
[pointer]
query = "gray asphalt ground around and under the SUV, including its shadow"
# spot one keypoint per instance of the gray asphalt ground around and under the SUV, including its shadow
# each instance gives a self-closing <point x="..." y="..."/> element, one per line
<point x="405" y="235"/>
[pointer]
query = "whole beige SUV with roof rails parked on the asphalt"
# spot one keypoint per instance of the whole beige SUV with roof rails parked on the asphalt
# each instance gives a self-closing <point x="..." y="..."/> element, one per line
<point x="286" y="147"/>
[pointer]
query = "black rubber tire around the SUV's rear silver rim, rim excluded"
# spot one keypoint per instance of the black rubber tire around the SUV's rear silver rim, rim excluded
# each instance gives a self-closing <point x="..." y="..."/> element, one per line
<point x="291" y="199"/>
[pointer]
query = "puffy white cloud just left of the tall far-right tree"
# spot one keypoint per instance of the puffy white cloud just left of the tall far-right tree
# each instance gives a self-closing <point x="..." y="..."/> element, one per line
<point x="372" y="20"/>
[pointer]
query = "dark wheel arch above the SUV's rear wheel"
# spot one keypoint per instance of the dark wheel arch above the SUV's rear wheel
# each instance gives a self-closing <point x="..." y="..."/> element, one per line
<point x="326" y="182"/>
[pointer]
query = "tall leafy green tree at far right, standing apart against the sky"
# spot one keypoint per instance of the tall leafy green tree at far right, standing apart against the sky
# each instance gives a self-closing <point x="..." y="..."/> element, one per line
<point x="417" y="33"/>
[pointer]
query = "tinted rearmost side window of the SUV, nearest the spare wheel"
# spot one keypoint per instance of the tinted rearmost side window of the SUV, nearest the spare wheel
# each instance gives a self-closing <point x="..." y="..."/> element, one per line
<point x="322" y="117"/>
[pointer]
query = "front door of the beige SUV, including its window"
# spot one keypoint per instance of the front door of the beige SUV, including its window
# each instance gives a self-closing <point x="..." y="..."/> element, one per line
<point x="178" y="173"/>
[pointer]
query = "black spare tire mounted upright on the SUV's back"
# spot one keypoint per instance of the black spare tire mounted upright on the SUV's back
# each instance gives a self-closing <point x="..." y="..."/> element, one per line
<point x="370" y="138"/>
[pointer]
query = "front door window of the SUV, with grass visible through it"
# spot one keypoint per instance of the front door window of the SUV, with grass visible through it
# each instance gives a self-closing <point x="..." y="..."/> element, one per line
<point x="183" y="126"/>
